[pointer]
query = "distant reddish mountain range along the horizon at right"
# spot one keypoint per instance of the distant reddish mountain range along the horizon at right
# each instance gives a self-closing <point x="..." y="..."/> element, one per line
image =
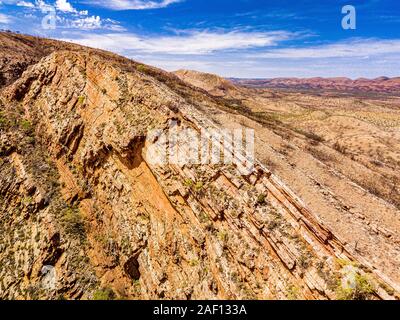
<point x="378" y="85"/>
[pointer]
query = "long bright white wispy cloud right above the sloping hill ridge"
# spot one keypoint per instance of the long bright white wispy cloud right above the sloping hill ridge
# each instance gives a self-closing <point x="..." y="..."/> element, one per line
<point x="189" y="43"/>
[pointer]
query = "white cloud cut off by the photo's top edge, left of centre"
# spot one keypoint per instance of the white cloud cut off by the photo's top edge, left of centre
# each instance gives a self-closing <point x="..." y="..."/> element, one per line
<point x="133" y="4"/>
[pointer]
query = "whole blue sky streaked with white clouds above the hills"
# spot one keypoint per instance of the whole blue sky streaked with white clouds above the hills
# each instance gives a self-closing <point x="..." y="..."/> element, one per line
<point x="236" y="38"/>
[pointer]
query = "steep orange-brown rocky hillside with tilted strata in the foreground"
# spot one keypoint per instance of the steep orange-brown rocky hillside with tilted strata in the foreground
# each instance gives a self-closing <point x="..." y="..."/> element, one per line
<point x="85" y="213"/>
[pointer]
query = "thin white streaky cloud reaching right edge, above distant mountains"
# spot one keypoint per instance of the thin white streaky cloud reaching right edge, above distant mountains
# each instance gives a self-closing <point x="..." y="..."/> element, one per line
<point x="352" y="48"/>
